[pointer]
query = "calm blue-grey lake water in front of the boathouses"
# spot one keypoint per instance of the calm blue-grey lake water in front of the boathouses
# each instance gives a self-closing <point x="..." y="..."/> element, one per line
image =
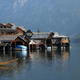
<point x="58" y="65"/>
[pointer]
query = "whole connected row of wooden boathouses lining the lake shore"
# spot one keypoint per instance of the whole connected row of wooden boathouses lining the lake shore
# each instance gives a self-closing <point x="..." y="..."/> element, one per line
<point x="12" y="35"/>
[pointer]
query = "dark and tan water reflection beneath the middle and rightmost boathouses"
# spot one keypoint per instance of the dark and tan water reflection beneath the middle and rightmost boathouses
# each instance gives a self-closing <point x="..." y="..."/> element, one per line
<point x="51" y="55"/>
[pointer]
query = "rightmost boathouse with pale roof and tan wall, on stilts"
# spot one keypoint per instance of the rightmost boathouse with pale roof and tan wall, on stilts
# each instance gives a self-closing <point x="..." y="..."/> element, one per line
<point x="60" y="41"/>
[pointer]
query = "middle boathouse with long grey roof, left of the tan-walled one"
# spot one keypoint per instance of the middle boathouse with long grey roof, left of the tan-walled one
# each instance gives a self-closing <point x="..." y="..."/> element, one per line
<point x="39" y="40"/>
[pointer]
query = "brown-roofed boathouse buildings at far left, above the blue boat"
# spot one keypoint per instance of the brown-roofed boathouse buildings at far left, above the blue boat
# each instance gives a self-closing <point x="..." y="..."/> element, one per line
<point x="11" y="35"/>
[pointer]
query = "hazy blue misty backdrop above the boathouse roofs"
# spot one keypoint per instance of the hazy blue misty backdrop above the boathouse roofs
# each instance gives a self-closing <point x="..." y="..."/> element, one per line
<point x="61" y="16"/>
